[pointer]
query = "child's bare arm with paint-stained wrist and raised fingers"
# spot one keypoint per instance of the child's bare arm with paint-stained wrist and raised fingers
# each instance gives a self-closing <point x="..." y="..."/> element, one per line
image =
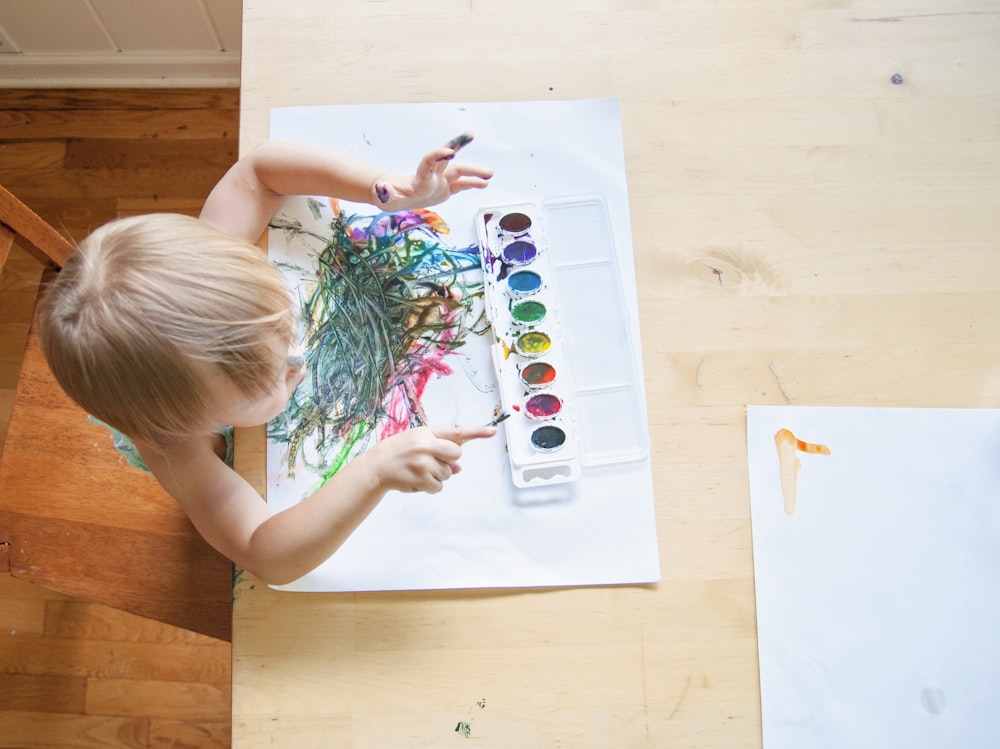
<point x="251" y="192"/>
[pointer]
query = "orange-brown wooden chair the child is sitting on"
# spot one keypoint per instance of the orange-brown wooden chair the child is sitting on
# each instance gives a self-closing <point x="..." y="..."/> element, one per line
<point x="73" y="517"/>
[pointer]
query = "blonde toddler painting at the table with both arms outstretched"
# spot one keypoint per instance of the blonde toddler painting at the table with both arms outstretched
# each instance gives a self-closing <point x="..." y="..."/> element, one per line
<point x="172" y="330"/>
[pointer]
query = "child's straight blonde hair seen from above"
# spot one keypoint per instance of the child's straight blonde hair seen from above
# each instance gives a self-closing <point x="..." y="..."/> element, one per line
<point x="143" y="304"/>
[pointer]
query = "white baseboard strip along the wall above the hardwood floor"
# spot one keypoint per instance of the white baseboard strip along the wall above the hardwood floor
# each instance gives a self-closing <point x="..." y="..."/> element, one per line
<point x="145" y="70"/>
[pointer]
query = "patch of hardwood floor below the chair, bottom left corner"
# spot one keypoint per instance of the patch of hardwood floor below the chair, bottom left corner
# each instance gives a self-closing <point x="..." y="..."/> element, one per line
<point x="76" y="674"/>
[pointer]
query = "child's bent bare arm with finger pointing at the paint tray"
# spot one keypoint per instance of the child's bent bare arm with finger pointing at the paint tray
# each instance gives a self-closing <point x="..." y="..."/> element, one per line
<point x="281" y="547"/>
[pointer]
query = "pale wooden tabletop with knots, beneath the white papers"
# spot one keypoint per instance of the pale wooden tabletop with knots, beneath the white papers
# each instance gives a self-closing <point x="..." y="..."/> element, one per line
<point x="815" y="201"/>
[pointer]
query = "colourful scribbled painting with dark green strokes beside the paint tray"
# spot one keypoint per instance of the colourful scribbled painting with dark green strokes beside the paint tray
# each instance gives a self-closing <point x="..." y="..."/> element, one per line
<point x="383" y="307"/>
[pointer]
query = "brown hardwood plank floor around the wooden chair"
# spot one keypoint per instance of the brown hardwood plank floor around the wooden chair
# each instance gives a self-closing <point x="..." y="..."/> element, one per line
<point x="75" y="674"/>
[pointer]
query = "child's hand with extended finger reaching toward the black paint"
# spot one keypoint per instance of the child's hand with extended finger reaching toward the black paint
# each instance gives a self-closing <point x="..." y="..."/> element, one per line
<point x="421" y="459"/>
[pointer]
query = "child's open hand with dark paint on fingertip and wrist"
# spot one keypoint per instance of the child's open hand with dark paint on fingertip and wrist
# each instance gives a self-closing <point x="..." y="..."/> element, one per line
<point x="437" y="178"/>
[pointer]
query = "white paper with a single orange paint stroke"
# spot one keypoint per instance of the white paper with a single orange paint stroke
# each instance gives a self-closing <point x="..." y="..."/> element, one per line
<point x="878" y="588"/>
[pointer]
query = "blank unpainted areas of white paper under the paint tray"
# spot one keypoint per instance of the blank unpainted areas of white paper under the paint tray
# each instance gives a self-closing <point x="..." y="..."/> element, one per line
<point x="480" y="531"/>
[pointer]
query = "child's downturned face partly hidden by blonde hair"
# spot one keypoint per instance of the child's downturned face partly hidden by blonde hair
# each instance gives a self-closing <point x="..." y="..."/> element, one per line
<point x="238" y="409"/>
